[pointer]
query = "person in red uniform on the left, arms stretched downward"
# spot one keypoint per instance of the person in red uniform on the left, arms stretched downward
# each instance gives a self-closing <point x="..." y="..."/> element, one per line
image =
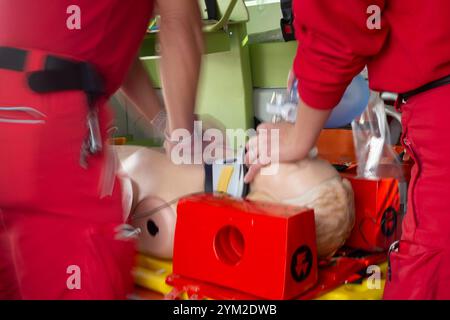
<point x="62" y="231"/>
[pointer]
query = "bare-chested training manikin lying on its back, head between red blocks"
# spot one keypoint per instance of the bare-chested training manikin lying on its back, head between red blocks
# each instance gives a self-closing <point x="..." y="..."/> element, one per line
<point x="153" y="185"/>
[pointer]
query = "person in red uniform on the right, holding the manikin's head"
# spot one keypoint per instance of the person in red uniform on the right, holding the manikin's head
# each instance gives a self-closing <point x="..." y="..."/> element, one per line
<point x="409" y="54"/>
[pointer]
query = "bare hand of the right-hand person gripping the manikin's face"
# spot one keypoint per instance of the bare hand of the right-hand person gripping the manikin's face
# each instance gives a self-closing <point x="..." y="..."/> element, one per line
<point x="275" y="142"/>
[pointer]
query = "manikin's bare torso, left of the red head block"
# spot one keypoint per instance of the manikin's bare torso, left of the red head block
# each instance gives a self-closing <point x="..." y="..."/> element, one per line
<point x="156" y="181"/>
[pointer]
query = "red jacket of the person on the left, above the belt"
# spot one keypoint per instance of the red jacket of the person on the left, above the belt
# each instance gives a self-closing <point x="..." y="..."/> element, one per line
<point x="105" y="24"/>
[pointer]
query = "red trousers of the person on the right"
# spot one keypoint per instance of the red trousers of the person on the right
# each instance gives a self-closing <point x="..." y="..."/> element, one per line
<point x="421" y="266"/>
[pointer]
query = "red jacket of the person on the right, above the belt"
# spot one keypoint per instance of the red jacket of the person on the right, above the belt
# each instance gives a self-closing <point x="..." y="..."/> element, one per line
<point x="411" y="48"/>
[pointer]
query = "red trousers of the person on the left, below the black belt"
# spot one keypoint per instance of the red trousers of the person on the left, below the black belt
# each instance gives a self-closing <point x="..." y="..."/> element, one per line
<point x="57" y="234"/>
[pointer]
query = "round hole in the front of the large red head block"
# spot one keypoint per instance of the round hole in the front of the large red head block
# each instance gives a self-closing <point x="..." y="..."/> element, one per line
<point x="229" y="245"/>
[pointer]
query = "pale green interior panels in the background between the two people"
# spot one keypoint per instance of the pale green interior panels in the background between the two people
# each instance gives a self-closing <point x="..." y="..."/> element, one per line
<point x="232" y="67"/>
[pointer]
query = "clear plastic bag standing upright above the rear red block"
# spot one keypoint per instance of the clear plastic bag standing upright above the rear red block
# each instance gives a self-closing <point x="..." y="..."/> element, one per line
<point x="375" y="155"/>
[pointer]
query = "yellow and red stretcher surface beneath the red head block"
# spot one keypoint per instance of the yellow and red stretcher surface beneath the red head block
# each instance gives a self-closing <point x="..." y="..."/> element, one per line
<point x="342" y="278"/>
